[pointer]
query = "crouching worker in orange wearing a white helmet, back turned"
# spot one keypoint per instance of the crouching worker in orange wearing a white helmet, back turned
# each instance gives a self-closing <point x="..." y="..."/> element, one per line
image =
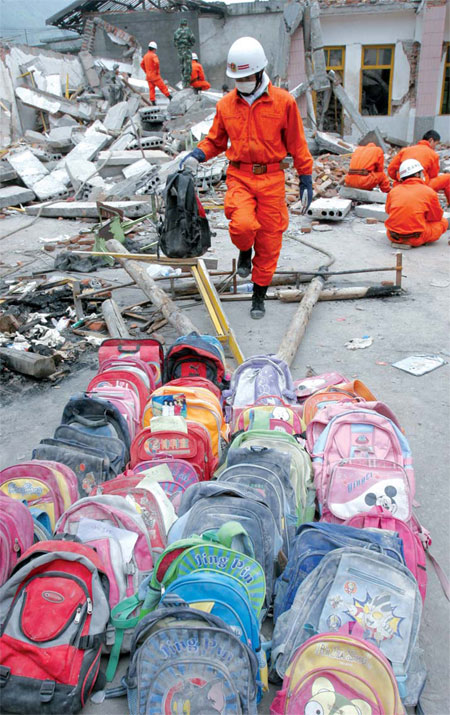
<point x="415" y="215"/>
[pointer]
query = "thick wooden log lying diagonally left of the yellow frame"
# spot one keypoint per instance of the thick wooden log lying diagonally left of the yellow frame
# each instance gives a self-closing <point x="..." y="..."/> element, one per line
<point x="151" y="289"/>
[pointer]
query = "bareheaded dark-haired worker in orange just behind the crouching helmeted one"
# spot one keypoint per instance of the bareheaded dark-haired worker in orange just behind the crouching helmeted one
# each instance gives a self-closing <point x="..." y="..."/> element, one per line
<point x="424" y="152"/>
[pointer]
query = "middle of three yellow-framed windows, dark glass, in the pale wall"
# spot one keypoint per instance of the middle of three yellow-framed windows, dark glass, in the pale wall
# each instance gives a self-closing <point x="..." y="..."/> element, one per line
<point x="376" y="79"/>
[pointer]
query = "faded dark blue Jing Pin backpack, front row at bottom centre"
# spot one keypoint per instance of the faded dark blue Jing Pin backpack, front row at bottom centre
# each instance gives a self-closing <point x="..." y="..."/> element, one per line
<point x="184" y="660"/>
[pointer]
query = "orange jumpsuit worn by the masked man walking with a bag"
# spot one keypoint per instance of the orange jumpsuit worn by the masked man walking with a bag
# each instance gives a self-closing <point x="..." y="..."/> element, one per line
<point x="256" y="139"/>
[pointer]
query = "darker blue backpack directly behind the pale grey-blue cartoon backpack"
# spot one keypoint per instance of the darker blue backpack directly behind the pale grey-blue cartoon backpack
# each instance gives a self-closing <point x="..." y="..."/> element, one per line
<point x="314" y="541"/>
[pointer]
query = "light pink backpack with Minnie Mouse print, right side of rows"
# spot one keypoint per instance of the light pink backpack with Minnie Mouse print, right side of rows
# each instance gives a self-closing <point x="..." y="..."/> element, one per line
<point x="359" y="434"/>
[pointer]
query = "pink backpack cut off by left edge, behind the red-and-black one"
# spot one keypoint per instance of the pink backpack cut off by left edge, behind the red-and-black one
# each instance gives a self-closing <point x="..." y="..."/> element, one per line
<point x="16" y="533"/>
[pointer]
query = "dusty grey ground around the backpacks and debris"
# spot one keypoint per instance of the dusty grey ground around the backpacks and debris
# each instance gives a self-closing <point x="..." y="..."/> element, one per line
<point x="417" y="322"/>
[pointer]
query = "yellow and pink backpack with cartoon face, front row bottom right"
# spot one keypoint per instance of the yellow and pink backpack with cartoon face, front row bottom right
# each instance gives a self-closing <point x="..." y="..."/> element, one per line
<point x="338" y="672"/>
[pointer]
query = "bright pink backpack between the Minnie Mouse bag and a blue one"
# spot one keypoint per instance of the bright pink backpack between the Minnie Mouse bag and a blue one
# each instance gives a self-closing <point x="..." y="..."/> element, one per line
<point x="415" y="539"/>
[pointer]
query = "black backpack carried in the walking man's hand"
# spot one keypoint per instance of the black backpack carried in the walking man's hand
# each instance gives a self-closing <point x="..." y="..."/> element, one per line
<point x="184" y="233"/>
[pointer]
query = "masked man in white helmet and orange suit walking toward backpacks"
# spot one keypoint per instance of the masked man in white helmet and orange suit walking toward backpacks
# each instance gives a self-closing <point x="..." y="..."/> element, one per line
<point x="256" y="124"/>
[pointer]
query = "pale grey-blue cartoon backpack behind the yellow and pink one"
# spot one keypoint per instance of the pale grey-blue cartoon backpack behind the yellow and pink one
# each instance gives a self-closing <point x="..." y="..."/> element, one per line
<point x="354" y="584"/>
